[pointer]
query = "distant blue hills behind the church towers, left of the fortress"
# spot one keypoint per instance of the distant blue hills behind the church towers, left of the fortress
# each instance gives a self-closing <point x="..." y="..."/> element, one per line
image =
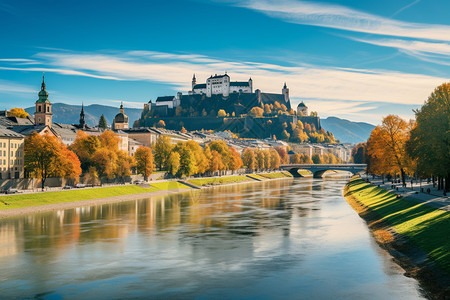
<point x="70" y="114"/>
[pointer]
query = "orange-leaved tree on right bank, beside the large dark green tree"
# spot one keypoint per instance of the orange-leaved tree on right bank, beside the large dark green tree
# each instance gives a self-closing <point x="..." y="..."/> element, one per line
<point x="387" y="147"/>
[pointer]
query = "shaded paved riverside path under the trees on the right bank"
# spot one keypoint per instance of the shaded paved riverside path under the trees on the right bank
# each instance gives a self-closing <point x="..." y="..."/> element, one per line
<point x="434" y="199"/>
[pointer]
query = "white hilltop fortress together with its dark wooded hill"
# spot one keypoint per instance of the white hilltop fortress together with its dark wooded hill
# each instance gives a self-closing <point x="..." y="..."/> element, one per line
<point x="222" y="104"/>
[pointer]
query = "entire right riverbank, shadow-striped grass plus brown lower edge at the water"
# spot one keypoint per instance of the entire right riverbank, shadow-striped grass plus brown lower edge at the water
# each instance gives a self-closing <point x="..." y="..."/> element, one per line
<point x="415" y="234"/>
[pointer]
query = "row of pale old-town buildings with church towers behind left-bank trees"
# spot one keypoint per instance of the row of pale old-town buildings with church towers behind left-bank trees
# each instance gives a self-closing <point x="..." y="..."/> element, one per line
<point x="14" y="130"/>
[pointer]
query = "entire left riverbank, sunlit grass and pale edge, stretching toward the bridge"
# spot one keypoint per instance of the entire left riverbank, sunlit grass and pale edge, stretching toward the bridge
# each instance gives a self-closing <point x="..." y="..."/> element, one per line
<point x="14" y="205"/>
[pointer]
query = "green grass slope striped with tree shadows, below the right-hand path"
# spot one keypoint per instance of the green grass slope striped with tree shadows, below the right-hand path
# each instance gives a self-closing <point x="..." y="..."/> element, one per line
<point x="425" y="227"/>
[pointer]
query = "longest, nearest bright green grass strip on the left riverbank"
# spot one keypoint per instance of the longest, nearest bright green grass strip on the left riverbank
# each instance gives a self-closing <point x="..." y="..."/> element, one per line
<point x="35" y="199"/>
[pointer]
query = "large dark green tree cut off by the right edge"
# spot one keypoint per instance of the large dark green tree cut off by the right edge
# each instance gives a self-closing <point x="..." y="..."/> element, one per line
<point x="430" y="138"/>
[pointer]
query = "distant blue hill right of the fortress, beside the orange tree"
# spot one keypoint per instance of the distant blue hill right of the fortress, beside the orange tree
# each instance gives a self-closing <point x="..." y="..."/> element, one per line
<point x="347" y="131"/>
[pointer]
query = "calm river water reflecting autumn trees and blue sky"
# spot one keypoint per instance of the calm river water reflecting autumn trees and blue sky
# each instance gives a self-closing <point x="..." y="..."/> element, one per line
<point x="284" y="239"/>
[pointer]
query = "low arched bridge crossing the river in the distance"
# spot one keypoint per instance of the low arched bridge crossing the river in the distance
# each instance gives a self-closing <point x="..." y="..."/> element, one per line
<point x="319" y="169"/>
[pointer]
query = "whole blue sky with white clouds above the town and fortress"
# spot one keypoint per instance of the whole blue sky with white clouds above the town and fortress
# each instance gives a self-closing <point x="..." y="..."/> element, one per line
<point x="358" y="60"/>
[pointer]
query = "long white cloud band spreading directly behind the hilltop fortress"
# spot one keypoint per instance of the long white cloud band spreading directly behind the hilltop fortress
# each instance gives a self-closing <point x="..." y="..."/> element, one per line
<point x="306" y="82"/>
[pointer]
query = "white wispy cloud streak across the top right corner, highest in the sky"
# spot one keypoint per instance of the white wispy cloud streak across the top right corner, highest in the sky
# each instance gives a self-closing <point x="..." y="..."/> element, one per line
<point x="344" y="18"/>
